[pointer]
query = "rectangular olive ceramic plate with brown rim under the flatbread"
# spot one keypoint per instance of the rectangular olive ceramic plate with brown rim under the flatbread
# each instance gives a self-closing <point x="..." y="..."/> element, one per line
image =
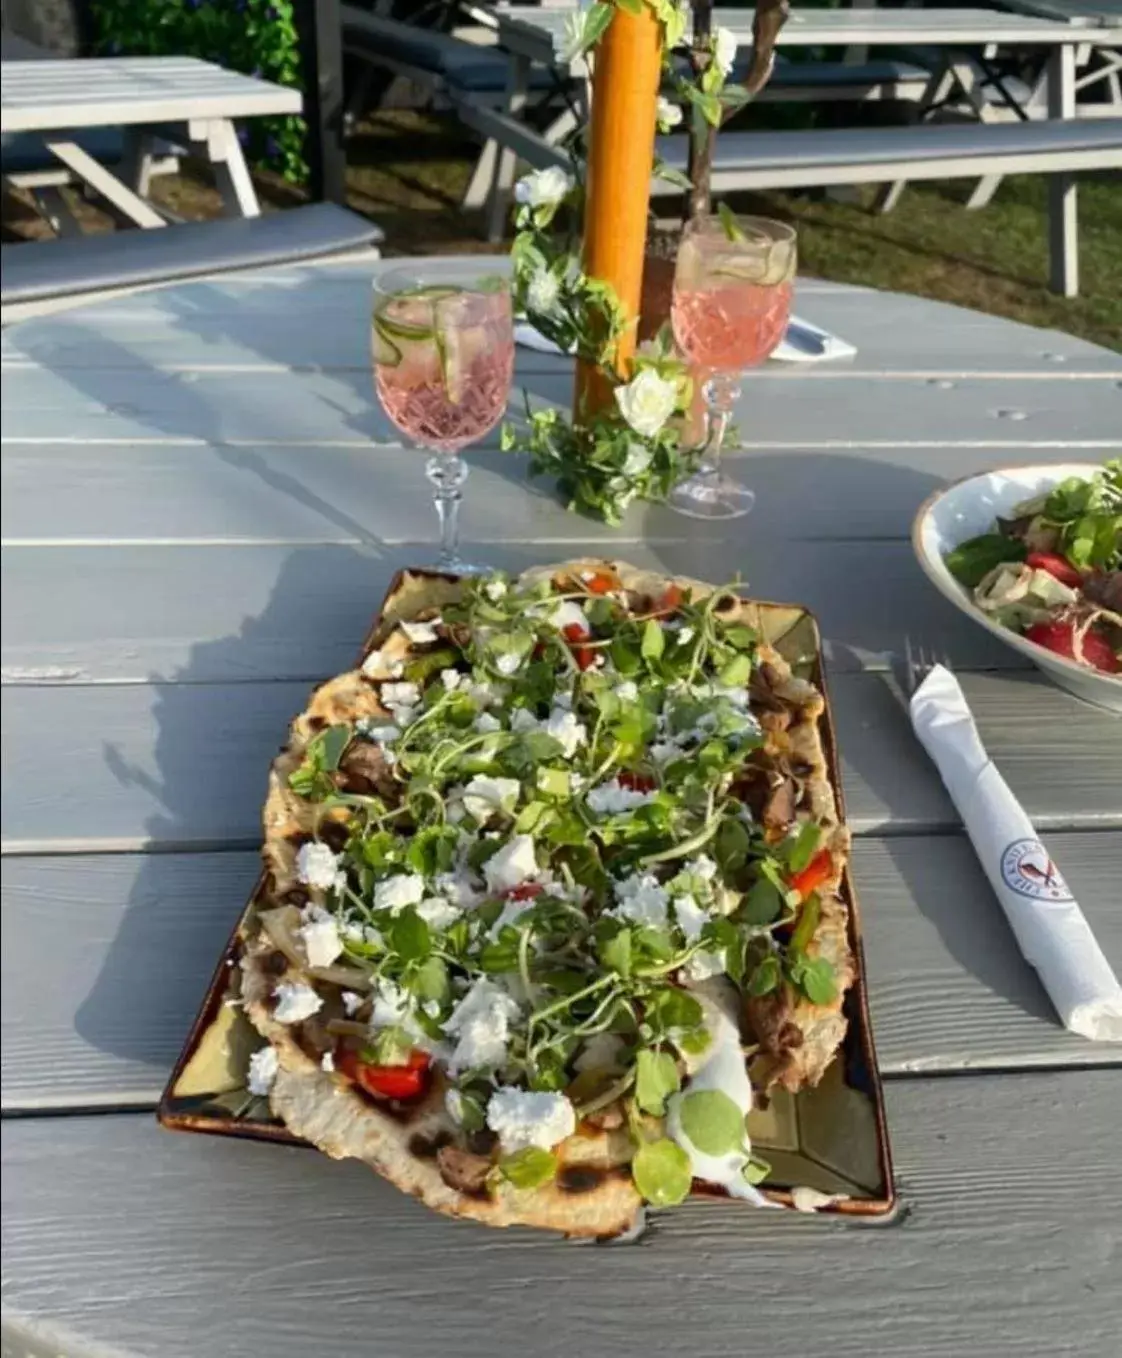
<point x="832" y="1139"/>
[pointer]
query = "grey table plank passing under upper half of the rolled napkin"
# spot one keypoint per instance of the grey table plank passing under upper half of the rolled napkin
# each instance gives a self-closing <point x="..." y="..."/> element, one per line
<point x="184" y="765"/>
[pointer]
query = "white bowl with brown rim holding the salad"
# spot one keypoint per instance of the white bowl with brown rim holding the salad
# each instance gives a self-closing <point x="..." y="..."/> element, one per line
<point x="969" y="509"/>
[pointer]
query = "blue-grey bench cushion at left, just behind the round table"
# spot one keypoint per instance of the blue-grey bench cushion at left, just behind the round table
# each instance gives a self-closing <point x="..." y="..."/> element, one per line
<point x="43" y="270"/>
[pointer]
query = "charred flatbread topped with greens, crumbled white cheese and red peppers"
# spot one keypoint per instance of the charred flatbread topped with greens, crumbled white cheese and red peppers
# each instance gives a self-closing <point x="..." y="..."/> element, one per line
<point x="554" y="885"/>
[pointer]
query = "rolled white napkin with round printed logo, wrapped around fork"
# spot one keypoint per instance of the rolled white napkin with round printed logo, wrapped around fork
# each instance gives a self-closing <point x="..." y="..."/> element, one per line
<point x="1048" y="923"/>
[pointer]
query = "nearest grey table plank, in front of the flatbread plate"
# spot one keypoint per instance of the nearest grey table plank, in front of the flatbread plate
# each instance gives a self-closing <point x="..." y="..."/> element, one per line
<point x="256" y="1249"/>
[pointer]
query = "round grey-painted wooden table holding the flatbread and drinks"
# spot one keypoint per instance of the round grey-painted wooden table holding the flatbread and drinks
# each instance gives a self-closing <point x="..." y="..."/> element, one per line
<point x="203" y="506"/>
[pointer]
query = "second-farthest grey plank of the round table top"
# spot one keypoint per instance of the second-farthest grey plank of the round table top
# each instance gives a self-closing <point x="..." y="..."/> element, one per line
<point x="117" y="405"/>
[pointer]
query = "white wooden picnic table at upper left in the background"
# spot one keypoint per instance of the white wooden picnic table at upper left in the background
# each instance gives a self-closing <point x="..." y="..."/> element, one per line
<point x="195" y="100"/>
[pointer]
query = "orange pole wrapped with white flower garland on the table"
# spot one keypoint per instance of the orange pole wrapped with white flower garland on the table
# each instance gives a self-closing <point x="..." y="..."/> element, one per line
<point x="621" y="158"/>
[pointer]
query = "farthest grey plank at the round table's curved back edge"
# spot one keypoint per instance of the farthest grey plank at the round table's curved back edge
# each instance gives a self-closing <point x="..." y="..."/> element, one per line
<point x="248" y="320"/>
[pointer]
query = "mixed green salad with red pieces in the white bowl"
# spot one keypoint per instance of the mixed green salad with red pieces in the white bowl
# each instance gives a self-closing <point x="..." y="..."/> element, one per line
<point x="1053" y="570"/>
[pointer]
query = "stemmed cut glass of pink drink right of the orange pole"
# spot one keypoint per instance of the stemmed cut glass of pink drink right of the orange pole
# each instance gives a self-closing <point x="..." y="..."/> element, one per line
<point x="731" y="305"/>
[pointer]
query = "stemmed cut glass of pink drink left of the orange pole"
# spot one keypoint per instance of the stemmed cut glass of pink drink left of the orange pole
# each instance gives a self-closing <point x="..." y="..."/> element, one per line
<point x="444" y="361"/>
